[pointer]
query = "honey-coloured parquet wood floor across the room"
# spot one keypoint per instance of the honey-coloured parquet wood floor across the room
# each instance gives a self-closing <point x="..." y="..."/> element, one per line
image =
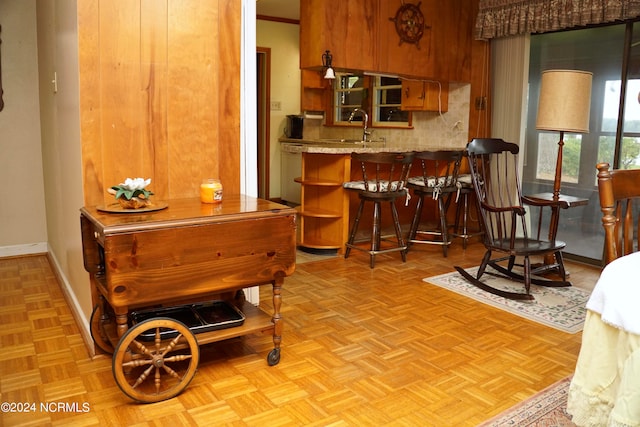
<point x="360" y="347"/>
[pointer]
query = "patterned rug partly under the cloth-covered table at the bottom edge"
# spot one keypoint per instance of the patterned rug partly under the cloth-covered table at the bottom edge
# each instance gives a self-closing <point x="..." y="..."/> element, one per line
<point x="546" y="408"/>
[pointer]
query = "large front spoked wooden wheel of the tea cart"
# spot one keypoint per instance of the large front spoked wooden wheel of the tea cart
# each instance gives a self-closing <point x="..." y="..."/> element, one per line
<point x="155" y="360"/>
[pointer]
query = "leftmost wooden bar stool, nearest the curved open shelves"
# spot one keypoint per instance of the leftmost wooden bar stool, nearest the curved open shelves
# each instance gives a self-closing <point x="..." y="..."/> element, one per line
<point x="384" y="179"/>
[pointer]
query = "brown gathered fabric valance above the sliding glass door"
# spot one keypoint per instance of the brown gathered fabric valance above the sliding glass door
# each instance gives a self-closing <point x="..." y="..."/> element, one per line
<point x="500" y="18"/>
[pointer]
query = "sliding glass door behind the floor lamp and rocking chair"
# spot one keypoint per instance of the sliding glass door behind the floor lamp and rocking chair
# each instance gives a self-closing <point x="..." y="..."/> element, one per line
<point x="612" y="54"/>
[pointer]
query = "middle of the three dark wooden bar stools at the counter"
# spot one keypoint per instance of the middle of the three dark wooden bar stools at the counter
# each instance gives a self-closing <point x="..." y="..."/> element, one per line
<point x="439" y="180"/>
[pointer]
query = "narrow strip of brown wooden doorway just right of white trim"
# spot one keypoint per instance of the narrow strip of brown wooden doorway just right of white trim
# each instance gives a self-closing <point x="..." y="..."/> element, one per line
<point x="263" y="147"/>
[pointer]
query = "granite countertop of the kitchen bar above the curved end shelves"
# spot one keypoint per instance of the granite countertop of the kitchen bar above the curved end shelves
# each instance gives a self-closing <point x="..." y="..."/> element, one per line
<point x="332" y="146"/>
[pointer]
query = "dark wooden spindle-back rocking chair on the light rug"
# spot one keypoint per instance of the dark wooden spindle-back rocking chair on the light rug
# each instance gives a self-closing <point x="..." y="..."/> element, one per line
<point x="494" y="171"/>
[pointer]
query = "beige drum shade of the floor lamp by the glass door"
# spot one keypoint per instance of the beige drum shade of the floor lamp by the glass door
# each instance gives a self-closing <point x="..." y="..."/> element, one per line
<point x="565" y="101"/>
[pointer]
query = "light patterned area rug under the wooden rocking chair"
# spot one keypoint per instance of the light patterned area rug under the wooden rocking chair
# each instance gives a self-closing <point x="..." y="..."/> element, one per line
<point x="559" y="308"/>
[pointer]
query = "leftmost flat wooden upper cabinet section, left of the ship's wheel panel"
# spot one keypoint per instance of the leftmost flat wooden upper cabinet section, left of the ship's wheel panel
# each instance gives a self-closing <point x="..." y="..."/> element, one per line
<point x="346" y="28"/>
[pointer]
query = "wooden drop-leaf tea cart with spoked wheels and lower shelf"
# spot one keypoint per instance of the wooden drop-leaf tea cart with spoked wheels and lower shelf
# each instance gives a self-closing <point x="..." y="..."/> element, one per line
<point x="177" y="259"/>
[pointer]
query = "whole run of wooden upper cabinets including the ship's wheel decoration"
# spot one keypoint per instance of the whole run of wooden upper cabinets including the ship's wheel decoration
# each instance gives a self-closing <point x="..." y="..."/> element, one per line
<point x="427" y="39"/>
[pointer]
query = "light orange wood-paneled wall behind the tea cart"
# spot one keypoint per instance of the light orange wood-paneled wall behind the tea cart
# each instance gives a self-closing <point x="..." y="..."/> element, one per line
<point x="159" y="94"/>
